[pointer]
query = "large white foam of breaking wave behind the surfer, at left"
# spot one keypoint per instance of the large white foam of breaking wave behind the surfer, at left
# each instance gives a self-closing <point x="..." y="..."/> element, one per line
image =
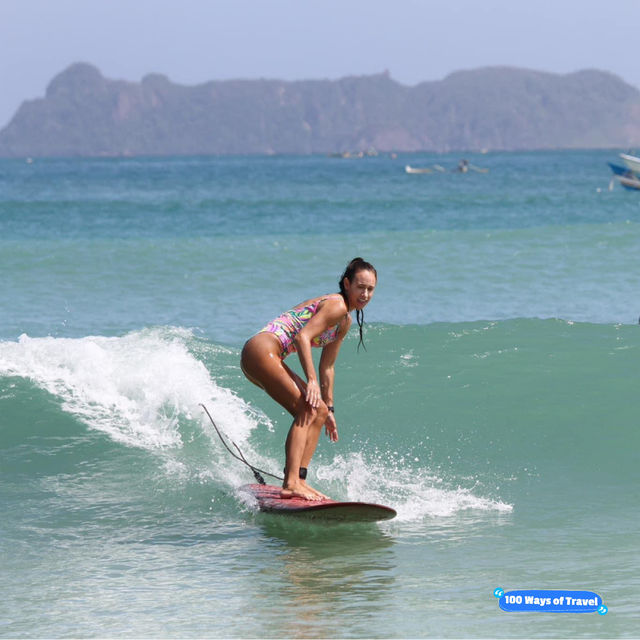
<point x="134" y="388"/>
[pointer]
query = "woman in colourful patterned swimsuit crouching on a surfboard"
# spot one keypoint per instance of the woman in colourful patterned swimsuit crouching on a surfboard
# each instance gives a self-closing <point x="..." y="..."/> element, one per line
<point x="318" y="322"/>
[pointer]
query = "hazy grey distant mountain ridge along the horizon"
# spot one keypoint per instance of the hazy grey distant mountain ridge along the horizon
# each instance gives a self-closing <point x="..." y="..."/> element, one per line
<point x="497" y="108"/>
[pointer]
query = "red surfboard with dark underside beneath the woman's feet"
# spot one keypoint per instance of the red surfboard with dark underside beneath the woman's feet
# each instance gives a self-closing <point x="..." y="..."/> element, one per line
<point x="269" y="500"/>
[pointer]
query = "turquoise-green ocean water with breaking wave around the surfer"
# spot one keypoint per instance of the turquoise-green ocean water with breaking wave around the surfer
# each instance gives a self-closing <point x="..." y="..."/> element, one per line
<point x="496" y="405"/>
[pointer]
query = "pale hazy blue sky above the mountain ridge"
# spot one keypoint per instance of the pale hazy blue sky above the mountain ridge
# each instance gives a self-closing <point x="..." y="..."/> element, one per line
<point x="193" y="41"/>
